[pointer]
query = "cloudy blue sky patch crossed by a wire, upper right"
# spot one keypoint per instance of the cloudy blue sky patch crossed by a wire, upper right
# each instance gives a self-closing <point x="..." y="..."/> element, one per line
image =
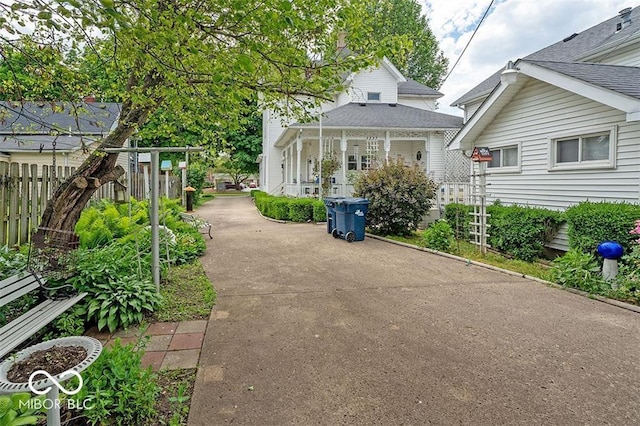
<point x="512" y="29"/>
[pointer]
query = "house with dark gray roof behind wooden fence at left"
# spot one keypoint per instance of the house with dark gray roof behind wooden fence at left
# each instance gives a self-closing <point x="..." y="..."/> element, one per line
<point x="29" y="130"/>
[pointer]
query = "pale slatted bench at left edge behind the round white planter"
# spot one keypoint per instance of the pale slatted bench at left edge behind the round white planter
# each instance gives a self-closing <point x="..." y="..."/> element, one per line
<point x="26" y="325"/>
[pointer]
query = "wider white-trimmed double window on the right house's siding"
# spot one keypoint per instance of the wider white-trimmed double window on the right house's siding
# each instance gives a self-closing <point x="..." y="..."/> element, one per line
<point x="589" y="150"/>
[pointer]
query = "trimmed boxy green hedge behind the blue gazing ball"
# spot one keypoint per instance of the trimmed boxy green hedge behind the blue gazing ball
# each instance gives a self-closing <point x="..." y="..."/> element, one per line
<point x="592" y="223"/>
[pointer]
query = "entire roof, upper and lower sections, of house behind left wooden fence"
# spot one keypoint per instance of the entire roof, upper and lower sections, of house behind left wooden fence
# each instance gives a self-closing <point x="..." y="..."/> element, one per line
<point x="35" y="126"/>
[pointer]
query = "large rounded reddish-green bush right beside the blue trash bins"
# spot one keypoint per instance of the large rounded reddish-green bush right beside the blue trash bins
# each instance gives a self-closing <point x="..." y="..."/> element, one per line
<point x="399" y="197"/>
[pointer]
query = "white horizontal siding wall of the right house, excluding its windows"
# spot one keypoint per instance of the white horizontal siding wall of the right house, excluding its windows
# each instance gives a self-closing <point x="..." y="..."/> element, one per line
<point x="537" y="113"/>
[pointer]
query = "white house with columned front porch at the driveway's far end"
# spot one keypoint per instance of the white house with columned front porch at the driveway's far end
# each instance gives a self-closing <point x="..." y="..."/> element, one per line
<point x="381" y="115"/>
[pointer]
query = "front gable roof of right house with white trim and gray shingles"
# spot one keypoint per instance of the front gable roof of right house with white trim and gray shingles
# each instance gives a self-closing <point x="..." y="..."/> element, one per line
<point x="612" y="85"/>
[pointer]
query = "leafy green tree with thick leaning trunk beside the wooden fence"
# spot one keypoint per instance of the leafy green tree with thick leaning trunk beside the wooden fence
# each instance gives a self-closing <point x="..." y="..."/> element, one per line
<point x="214" y="54"/>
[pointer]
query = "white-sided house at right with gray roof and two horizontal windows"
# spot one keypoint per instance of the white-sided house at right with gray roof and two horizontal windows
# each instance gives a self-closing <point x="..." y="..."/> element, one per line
<point x="563" y="124"/>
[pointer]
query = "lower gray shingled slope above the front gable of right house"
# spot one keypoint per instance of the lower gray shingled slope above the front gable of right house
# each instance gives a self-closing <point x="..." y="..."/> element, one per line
<point x="621" y="79"/>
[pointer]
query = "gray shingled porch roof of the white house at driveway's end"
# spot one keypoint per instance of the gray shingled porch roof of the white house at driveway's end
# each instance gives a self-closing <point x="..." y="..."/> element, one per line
<point x="380" y="116"/>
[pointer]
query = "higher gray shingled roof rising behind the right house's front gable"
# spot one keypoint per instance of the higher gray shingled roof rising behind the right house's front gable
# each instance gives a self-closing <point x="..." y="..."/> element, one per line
<point x="588" y="40"/>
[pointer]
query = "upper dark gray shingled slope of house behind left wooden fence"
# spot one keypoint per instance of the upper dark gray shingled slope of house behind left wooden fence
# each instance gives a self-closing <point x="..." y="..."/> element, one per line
<point x="64" y="117"/>
